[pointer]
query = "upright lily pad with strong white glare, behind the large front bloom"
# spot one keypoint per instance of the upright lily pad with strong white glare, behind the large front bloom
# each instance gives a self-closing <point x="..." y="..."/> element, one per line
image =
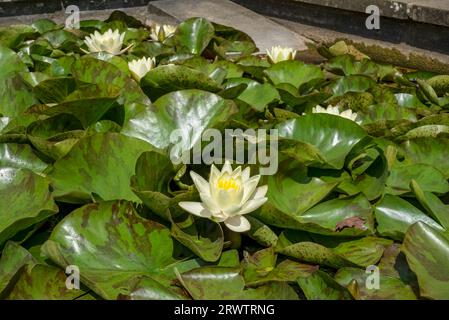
<point x="184" y="113"/>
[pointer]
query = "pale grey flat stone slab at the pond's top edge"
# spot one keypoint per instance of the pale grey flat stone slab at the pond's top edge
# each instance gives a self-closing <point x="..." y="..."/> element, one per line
<point x="265" y="32"/>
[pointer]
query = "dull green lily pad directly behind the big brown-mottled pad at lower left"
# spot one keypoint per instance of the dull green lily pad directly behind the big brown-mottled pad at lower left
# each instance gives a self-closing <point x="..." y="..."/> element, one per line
<point x="106" y="163"/>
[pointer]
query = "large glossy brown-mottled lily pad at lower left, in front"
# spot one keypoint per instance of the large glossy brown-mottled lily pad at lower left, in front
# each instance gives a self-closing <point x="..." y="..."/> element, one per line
<point x="118" y="253"/>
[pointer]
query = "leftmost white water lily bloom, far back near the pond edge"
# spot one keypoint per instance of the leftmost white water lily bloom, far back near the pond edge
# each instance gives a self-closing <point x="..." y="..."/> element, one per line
<point x="110" y="41"/>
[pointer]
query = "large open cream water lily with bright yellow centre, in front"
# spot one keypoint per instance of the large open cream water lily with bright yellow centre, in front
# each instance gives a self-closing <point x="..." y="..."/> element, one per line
<point x="227" y="196"/>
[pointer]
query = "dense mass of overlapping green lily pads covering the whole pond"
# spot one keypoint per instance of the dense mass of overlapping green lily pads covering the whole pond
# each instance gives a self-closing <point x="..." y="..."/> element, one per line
<point x="86" y="178"/>
